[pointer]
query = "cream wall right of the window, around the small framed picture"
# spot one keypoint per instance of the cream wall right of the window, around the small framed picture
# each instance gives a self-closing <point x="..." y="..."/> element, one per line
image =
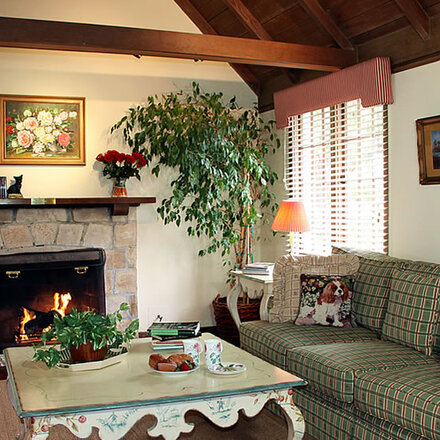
<point x="414" y="208"/>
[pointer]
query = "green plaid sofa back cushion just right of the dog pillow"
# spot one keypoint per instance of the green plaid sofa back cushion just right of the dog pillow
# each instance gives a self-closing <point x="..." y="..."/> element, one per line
<point x="371" y="287"/>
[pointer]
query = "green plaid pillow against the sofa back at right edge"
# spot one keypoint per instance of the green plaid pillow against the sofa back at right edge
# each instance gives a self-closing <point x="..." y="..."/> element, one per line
<point x="412" y="312"/>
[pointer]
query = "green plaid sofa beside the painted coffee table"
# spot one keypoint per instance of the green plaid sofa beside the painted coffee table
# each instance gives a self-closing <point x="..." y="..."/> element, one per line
<point x="379" y="380"/>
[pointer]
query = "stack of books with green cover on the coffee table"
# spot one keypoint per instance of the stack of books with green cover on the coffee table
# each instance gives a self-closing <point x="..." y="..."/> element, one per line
<point x="169" y="335"/>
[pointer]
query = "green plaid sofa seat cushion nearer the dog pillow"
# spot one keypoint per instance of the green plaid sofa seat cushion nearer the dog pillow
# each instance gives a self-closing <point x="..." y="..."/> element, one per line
<point x="332" y="368"/>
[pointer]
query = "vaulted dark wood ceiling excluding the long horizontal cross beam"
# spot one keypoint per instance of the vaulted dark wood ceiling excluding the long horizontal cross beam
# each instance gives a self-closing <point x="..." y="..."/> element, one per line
<point x="408" y="31"/>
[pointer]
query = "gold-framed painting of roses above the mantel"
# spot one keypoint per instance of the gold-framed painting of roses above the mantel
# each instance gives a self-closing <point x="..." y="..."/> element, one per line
<point x="42" y="130"/>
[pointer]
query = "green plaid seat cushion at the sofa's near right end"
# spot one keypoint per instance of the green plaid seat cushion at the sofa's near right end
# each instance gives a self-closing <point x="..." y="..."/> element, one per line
<point x="409" y="397"/>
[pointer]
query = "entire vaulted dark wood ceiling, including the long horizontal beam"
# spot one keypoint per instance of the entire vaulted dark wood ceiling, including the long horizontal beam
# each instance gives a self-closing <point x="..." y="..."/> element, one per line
<point x="272" y="44"/>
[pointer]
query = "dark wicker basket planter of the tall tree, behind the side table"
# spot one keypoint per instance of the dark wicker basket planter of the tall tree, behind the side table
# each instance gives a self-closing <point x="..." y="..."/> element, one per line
<point x="226" y="327"/>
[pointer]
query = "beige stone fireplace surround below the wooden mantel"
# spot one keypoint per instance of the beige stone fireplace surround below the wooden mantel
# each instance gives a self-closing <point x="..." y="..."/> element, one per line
<point x="50" y="229"/>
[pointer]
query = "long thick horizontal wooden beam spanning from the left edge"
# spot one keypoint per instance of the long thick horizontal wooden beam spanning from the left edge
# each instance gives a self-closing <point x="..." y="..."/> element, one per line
<point x="81" y="37"/>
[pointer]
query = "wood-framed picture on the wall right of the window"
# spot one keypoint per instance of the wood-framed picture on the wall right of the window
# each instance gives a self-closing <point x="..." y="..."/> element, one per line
<point x="428" y="144"/>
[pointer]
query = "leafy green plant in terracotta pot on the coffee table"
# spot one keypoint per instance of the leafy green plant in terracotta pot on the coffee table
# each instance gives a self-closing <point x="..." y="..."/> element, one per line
<point x="87" y="335"/>
